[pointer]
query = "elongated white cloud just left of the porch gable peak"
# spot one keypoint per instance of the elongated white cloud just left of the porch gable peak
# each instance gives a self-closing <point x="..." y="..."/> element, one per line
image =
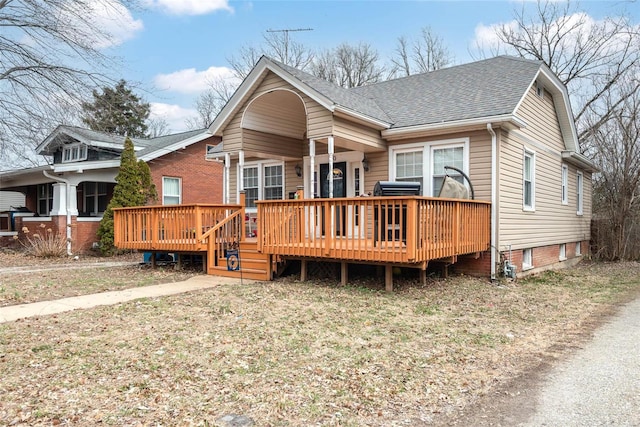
<point x="191" y="81"/>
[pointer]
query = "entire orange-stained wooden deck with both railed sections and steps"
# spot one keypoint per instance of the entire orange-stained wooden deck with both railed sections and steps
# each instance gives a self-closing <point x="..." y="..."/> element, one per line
<point x="408" y="231"/>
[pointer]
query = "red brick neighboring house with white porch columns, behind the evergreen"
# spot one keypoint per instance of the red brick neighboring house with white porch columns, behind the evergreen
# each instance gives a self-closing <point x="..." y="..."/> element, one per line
<point x="75" y="190"/>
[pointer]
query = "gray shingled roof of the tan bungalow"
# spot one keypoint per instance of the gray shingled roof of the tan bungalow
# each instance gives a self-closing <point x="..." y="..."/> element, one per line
<point x="485" y="88"/>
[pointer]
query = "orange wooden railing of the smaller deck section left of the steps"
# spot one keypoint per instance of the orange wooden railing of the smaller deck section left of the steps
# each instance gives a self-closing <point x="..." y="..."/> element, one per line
<point x="167" y="228"/>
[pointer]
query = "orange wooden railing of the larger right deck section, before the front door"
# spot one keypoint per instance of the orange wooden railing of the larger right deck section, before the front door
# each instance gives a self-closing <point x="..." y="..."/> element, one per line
<point x="378" y="229"/>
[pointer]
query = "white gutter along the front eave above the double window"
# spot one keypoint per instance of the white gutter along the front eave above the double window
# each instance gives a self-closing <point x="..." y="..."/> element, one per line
<point x="508" y="120"/>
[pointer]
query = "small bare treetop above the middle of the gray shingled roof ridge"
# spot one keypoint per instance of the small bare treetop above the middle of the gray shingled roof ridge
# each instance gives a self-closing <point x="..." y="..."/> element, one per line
<point x="427" y="53"/>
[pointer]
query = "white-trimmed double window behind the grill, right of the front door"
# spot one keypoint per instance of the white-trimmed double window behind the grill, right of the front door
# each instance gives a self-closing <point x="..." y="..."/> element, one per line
<point x="425" y="162"/>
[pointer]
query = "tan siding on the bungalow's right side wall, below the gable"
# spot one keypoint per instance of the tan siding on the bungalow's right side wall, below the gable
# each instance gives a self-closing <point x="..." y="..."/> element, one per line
<point x="551" y="222"/>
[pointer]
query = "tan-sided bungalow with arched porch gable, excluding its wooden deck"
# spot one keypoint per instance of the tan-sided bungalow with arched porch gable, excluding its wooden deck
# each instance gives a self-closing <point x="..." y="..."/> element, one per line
<point x="506" y="122"/>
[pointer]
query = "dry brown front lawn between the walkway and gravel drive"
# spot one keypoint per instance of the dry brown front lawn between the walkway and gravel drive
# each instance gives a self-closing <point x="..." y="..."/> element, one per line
<point x="287" y="353"/>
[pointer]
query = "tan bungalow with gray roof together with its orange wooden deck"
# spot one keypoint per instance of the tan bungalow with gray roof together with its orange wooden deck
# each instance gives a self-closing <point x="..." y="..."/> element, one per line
<point x="301" y="153"/>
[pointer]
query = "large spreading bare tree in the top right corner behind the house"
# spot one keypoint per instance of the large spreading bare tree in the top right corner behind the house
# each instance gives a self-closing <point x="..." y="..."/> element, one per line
<point x="590" y="57"/>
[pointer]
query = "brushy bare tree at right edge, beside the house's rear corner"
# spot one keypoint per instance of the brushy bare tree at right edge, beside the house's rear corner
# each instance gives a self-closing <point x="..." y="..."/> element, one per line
<point x="616" y="197"/>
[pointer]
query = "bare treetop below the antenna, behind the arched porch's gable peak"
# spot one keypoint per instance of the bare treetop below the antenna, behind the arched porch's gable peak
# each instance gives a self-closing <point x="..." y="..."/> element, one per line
<point x="278" y="45"/>
